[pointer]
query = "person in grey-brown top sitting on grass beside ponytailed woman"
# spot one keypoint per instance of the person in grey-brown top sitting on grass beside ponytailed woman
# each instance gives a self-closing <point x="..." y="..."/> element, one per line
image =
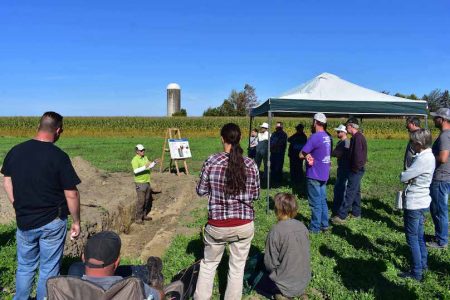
<point x="287" y="258"/>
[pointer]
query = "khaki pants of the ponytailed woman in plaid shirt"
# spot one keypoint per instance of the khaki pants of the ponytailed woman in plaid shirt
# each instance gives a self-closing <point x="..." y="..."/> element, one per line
<point x="239" y="239"/>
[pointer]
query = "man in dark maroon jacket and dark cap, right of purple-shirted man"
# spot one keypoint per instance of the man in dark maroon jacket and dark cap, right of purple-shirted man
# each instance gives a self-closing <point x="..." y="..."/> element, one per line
<point x="357" y="160"/>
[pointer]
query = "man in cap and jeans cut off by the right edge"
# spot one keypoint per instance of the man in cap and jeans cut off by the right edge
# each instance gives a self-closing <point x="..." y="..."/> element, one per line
<point x="440" y="186"/>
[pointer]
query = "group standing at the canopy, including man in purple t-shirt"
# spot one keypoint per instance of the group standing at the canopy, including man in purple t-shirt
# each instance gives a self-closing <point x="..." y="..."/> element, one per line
<point x="317" y="151"/>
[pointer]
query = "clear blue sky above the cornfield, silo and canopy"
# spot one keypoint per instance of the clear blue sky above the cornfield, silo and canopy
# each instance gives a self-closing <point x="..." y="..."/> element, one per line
<point x="107" y="58"/>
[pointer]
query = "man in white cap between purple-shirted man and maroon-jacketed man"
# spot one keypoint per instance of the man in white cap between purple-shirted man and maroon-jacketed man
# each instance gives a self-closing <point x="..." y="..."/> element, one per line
<point x="341" y="152"/>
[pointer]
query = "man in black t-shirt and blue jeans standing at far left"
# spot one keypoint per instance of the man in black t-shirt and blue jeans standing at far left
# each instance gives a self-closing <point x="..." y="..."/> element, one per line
<point x="40" y="182"/>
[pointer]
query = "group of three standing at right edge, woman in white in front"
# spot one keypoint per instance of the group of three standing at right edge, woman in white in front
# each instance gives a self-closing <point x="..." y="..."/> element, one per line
<point x="427" y="178"/>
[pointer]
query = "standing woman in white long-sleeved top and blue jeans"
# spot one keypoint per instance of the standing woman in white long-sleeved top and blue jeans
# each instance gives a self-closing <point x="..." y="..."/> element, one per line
<point x="417" y="200"/>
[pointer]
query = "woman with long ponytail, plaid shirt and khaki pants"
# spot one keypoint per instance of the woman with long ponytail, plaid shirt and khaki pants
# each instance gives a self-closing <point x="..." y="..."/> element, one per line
<point x="231" y="182"/>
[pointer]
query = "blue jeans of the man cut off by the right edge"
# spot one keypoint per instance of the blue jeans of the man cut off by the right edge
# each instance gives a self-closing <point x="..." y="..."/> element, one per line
<point x="439" y="191"/>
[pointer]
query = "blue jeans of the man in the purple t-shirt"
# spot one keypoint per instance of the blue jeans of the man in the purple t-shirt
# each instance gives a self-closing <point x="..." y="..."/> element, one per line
<point x="317" y="198"/>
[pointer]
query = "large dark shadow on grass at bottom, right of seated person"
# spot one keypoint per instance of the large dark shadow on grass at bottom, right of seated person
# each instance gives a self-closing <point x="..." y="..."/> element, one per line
<point x="366" y="275"/>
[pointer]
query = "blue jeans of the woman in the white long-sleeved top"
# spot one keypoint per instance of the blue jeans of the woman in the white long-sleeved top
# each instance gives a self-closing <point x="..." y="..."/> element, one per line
<point x="415" y="237"/>
